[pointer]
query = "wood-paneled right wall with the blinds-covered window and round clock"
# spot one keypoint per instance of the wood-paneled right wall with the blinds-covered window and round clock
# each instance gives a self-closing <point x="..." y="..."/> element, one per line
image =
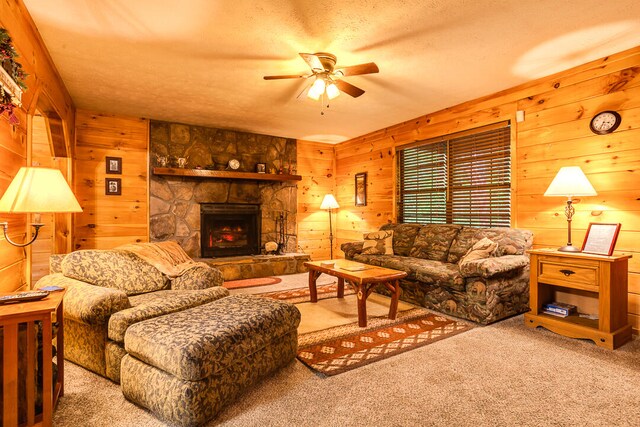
<point x="555" y="133"/>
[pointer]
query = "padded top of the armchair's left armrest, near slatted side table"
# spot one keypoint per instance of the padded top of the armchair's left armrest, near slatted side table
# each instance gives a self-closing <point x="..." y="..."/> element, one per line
<point x="85" y="303"/>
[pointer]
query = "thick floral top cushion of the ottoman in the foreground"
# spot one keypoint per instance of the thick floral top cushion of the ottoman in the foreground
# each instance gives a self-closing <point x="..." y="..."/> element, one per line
<point x="226" y="331"/>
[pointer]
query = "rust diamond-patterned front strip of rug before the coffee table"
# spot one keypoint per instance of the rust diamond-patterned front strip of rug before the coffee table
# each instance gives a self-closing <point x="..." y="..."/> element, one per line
<point x="343" y="348"/>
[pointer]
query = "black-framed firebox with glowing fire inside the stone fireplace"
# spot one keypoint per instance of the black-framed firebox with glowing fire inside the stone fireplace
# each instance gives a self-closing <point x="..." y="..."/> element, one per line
<point x="229" y="229"/>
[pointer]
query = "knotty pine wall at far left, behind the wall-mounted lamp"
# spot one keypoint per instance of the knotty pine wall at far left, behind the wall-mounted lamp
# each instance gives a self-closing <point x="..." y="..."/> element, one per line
<point x="43" y="82"/>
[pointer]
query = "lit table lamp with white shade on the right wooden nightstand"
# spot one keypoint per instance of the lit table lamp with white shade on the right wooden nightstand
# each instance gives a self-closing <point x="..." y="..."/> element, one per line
<point x="569" y="182"/>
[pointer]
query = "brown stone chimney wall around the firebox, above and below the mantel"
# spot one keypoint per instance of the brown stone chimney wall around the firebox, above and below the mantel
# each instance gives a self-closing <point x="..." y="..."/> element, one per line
<point x="175" y="202"/>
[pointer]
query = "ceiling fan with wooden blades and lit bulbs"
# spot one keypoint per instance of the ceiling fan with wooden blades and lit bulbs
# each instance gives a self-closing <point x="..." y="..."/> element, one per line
<point x="328" y="77"/>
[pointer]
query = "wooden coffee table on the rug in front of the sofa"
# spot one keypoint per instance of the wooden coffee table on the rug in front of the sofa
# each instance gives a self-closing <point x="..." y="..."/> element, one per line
<point x="362" y="277"/>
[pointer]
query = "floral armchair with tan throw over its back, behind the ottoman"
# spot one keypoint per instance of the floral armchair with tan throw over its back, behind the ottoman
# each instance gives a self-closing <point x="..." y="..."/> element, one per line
<point x="110" y="290"/>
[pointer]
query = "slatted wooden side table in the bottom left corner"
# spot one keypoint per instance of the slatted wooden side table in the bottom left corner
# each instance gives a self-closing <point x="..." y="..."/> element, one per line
<point x="47" y="311"/>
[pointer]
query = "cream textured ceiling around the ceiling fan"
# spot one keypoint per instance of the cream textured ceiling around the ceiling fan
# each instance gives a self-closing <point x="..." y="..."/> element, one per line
<point x="202" y="61"/>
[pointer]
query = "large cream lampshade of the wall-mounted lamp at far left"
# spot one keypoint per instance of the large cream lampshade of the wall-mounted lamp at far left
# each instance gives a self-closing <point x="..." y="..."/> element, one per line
<point x="37" y="190"/>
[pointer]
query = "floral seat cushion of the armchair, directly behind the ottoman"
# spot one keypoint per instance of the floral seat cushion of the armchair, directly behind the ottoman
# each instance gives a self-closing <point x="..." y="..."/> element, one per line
<point x="154" y="304"/>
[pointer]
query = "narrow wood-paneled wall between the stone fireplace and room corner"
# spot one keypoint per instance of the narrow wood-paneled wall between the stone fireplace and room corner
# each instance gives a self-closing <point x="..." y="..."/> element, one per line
<point x="316" y="164"/>
